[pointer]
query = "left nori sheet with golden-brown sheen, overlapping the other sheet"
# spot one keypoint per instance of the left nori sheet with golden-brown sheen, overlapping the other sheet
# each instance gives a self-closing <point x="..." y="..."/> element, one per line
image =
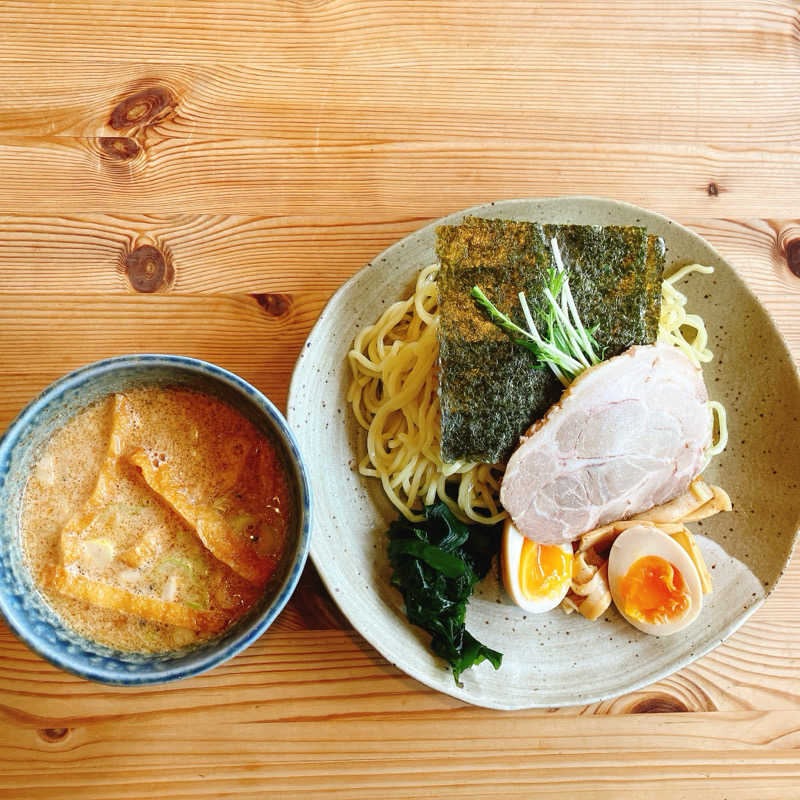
<point x="489" y="388"/>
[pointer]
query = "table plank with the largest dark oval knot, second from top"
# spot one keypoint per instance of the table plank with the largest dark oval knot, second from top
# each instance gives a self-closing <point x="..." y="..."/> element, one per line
<point x="581" y="99"/>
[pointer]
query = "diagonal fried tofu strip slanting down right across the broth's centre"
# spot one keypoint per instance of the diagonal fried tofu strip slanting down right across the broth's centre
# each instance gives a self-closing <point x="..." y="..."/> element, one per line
<point x="208" y="522"/>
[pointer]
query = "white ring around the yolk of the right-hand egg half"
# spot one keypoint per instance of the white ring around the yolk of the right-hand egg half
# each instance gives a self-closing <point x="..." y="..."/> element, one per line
<point x="637" y="542"/>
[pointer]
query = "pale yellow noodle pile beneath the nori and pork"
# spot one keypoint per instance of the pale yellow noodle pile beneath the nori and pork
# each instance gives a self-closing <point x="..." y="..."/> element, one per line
<point x="394" y="393"/>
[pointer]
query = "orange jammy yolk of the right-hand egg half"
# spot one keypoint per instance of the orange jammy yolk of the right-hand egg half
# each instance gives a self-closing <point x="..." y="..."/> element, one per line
<point x="653" y="591"/>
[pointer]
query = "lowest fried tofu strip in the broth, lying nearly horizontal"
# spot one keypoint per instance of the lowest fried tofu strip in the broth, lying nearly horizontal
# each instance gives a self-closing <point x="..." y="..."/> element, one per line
<point x="106" y="596"/>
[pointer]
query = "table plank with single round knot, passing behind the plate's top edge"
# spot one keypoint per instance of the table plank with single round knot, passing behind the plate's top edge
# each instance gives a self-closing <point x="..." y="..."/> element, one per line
<point x="238" y="253"/>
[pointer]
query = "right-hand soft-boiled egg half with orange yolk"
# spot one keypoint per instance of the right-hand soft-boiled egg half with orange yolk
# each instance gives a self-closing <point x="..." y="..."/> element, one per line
<point x="654" y="583"/>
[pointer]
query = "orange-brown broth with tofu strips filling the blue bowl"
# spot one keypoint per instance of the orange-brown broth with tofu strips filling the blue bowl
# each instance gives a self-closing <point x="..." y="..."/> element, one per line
<point x="156" y="519"/>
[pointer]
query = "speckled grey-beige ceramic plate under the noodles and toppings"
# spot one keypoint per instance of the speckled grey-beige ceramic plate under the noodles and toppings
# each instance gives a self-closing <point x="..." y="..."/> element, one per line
<point x="551" y="659"/>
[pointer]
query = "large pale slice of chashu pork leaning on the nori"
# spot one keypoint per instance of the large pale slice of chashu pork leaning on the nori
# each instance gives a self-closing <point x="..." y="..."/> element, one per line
<point x="628" y="434"/>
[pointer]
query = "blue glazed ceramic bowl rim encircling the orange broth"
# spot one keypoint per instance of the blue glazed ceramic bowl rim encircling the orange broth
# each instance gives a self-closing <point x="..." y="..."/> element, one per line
<point x="55" y="653"/>
